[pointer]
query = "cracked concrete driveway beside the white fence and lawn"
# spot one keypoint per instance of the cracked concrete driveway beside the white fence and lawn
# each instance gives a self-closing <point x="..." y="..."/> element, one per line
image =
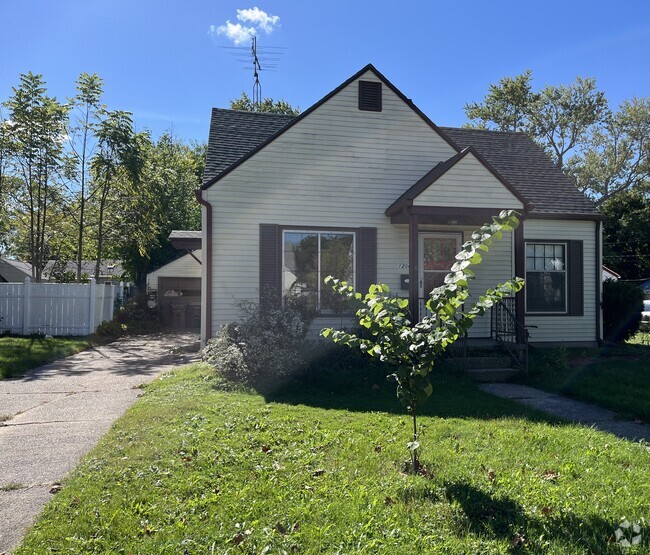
<point x="54" y="415"/>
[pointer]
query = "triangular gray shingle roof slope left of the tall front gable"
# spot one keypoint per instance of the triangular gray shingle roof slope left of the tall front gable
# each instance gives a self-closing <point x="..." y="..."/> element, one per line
<point x="234" y="134"/>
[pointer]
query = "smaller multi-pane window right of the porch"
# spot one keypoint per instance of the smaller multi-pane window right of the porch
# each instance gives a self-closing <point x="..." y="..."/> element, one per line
<point x="546" y="278"/>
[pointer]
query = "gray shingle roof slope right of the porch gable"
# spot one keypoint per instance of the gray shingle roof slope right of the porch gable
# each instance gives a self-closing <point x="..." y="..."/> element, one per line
<point x="528" y="169"/>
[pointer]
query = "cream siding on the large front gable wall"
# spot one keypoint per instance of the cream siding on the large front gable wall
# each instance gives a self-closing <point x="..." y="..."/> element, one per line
<point x="338" y="167"/>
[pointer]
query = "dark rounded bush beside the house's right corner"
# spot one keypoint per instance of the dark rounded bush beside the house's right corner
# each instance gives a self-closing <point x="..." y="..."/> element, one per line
<point x="622" y="307"/>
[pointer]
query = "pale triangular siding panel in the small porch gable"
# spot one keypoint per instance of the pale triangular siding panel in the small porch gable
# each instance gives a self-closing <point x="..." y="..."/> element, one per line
<point x="468" y="184"/>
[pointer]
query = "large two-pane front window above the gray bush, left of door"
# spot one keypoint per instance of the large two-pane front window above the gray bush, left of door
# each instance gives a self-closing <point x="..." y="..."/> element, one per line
<point x="308" y="257"/>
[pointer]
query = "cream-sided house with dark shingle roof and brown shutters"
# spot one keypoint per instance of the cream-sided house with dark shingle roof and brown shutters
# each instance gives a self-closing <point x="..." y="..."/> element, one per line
<point x="366" y="187"/>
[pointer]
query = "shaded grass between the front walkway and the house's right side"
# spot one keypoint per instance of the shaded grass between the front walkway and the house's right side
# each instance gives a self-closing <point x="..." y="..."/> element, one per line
<point x="613" y="376"/>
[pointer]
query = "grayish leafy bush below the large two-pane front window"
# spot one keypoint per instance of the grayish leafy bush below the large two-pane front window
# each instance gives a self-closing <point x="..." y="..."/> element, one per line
<point x="264" y="348"/>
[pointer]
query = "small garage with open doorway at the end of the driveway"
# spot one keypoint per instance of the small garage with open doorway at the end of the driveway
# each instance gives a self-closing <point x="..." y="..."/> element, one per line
<point x="176" y="286"/>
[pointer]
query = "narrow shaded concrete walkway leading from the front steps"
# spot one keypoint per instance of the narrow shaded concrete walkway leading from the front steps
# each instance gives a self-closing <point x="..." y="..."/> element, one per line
<point x="571" y="410"/>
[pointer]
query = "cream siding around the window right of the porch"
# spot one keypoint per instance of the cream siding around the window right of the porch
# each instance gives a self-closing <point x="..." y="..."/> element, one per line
<point x="567" y="328"/>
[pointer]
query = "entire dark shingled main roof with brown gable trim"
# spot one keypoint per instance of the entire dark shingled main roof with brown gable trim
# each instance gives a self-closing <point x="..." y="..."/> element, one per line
<point x="514" y="158"/>
